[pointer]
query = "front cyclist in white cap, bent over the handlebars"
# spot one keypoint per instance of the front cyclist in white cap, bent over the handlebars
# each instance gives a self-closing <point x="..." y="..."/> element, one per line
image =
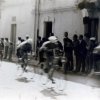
<point x="49" y="49"/>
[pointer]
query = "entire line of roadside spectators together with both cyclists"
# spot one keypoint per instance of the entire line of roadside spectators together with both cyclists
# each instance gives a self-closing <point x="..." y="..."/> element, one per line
<point x="78" y="52"/>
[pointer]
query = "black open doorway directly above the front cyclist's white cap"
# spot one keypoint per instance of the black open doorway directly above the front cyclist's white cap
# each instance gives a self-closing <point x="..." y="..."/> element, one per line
<point x="47" y="29"/>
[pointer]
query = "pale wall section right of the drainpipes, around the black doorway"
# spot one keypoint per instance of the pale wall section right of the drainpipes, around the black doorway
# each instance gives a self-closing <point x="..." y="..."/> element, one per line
<point x="64" y="15"/>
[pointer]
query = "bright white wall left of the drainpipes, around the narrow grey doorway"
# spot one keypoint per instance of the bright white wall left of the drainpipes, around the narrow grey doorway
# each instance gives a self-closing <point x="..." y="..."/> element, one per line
<point x="22" y="10"/>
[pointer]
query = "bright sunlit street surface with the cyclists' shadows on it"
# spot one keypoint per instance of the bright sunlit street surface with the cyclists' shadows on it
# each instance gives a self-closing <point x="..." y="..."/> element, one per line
<point x="16" y="85"/>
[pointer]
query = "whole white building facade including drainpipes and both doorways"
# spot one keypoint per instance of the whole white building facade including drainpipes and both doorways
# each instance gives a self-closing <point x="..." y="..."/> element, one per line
<point x="22" y="17"/>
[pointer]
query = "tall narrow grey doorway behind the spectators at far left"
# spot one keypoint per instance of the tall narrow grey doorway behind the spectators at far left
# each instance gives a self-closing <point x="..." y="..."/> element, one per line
<point x="13" y="35"/>
